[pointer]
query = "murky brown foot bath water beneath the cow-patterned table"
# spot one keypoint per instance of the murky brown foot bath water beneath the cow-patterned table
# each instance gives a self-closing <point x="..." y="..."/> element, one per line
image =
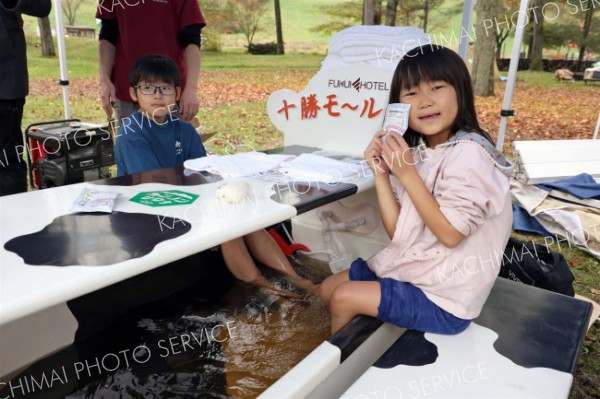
<point x="233" y="347"/>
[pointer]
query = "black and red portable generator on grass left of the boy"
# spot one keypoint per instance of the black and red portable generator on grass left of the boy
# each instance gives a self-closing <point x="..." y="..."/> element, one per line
<point x="67" y="151"/>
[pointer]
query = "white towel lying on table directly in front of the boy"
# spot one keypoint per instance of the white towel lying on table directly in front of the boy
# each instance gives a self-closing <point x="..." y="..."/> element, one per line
<point x="237" y="165"/>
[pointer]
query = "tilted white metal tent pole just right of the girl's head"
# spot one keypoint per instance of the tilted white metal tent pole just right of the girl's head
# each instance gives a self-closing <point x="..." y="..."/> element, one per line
<point x="512" y="73"/>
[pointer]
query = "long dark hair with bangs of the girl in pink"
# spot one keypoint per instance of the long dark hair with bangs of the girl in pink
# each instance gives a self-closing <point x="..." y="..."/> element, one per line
<point x="431" y="63"/>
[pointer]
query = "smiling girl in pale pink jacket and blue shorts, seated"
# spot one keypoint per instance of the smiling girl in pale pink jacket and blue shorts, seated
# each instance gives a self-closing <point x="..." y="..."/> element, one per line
<point x="443" y="194"/>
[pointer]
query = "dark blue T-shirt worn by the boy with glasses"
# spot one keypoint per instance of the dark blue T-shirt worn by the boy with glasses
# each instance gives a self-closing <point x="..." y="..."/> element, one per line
<point x="144" y="145"/>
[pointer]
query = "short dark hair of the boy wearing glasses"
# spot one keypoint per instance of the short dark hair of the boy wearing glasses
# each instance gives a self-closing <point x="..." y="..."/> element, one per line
<point x="154" y="68"/>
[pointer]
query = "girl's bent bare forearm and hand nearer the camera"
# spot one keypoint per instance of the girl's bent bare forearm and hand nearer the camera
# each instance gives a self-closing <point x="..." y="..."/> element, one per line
<point x="397" y="152"/>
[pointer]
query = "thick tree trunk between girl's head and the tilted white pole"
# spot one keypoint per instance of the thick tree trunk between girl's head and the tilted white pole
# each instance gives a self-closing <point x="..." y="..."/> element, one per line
<point x="483" y="59"/>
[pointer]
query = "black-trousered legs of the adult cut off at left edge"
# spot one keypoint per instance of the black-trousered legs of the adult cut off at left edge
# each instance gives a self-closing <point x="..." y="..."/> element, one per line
<point x="13" y="170"/>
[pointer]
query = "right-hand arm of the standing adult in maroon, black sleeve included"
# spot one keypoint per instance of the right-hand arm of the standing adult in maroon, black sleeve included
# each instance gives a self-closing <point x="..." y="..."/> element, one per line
<point x="189" y="40"/>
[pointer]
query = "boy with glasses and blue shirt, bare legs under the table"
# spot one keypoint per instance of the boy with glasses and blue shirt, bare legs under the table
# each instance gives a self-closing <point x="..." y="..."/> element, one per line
<point x="154" y="138"/>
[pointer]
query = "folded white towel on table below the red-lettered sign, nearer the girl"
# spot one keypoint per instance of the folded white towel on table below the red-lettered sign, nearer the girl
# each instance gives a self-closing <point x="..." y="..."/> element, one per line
<point x="313" y="168"/>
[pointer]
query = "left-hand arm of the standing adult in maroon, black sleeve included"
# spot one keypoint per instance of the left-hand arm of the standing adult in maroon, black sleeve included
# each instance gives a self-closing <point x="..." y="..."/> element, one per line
<point x="109" y="33"/>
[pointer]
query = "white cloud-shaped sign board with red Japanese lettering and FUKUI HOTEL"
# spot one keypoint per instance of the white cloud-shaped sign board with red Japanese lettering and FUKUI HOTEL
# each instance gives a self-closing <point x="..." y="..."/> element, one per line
<point x="339" y="110"/>
